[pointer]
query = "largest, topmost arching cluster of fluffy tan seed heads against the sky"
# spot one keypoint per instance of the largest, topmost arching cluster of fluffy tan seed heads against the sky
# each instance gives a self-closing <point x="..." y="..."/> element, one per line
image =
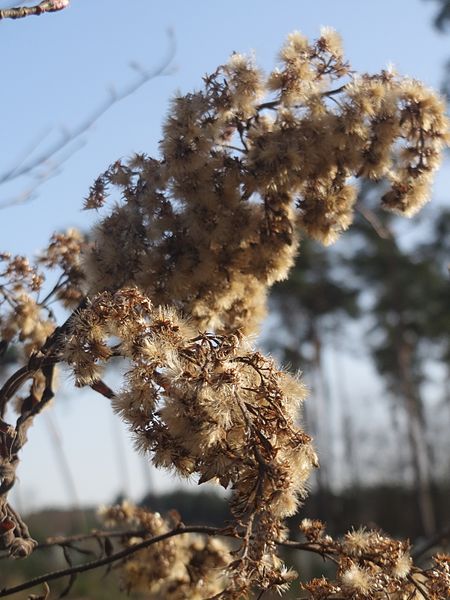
<point x="246" y="162"/>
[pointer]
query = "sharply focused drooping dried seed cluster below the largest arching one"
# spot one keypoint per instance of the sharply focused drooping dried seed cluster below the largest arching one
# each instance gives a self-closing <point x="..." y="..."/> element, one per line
<point x="205" y="404"/>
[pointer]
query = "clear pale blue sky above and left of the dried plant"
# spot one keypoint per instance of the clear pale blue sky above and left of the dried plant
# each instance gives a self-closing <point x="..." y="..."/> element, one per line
<point x="58" y="68"/>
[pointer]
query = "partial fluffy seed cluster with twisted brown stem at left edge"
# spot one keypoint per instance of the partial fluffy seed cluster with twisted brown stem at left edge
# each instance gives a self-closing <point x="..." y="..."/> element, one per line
<point x="27" y="323"/>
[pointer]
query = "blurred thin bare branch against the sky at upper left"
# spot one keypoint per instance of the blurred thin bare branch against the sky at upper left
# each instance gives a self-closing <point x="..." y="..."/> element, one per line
<point x="28" y="165"/>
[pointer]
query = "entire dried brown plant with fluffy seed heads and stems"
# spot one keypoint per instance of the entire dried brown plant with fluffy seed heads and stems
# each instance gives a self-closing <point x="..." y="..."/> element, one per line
<point x="174" y="280"/>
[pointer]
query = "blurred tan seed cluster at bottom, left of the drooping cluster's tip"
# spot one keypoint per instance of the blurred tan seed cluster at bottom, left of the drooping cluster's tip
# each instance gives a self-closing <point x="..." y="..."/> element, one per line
<point x="184" y="566"/>
